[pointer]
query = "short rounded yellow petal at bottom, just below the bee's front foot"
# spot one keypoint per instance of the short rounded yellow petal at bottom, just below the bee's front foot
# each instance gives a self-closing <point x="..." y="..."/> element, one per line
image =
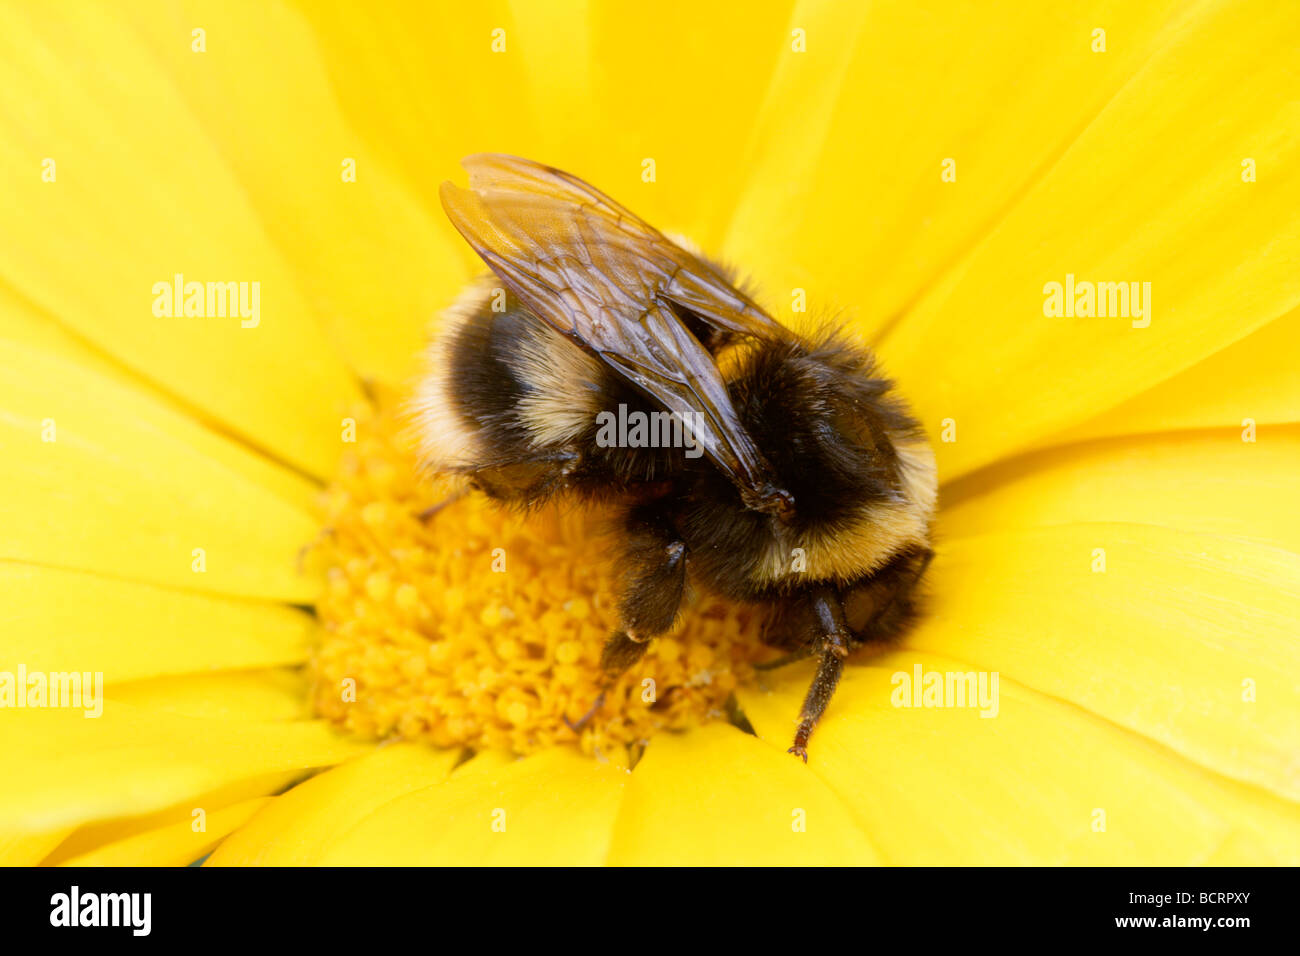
<point x="718" y="797"/>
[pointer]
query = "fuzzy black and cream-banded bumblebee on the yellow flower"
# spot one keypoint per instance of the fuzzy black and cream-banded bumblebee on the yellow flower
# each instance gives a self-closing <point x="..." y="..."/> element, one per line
<point x="791" y="477"/>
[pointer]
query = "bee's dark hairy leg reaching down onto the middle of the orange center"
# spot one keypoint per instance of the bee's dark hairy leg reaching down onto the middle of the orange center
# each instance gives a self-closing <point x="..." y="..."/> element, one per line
<point x="656" y="573"/>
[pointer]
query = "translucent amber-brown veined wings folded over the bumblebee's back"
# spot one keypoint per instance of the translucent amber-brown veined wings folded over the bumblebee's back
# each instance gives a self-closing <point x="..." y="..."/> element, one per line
<point x="610" y="282"/>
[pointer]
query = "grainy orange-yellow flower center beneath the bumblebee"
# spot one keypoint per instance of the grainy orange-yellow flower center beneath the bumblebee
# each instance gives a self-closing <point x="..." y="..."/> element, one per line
<point x="483" y="628"/>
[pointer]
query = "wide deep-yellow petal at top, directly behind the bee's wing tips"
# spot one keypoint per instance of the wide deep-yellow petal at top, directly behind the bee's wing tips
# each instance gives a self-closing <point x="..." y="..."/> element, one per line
<point x="584" y="86"/>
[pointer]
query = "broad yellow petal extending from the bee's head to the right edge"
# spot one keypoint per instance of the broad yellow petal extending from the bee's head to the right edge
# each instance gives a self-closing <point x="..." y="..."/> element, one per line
<point x="1186" y="639"/>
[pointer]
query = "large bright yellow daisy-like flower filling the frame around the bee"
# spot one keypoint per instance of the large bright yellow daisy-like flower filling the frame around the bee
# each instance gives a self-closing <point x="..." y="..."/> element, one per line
<point x="1119" y="531"/>
